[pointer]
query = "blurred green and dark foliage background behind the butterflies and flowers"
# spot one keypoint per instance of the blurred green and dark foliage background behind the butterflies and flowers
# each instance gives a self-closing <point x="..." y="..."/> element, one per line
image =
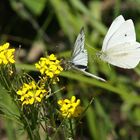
<point x="51" y="26"/>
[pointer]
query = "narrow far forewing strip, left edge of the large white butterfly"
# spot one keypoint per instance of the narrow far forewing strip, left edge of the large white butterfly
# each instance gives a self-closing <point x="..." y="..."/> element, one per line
<point x="113" y="28"/>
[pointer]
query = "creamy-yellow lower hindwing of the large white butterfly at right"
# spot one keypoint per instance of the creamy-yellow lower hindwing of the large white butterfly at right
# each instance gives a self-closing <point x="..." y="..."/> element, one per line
<point x="125" y="55"/>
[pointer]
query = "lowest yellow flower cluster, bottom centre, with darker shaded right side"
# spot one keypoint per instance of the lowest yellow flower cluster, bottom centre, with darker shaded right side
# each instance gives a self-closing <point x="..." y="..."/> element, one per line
<point x="70" y="108"/>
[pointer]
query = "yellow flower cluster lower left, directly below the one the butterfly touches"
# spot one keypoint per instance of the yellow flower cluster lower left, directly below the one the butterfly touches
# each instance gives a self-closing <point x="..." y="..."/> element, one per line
<point x="31" y="93"/>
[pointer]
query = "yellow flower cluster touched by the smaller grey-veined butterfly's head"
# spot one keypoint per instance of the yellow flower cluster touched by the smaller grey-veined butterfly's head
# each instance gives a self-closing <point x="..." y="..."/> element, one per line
<point x="49" y="66"/>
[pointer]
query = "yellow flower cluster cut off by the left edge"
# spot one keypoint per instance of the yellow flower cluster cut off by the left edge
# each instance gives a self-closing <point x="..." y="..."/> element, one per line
<point x="6" y="54"/>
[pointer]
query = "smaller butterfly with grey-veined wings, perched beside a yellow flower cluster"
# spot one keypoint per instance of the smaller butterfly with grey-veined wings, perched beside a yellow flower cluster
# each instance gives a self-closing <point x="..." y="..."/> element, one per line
<point x="79" y="58"/>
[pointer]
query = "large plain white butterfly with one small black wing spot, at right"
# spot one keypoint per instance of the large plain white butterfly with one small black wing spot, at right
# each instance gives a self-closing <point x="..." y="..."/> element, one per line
<point x="119" y="46"/>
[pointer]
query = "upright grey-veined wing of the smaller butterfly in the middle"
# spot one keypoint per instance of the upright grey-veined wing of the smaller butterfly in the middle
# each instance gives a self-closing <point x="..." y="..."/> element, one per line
<point x="79" y="55"/>
